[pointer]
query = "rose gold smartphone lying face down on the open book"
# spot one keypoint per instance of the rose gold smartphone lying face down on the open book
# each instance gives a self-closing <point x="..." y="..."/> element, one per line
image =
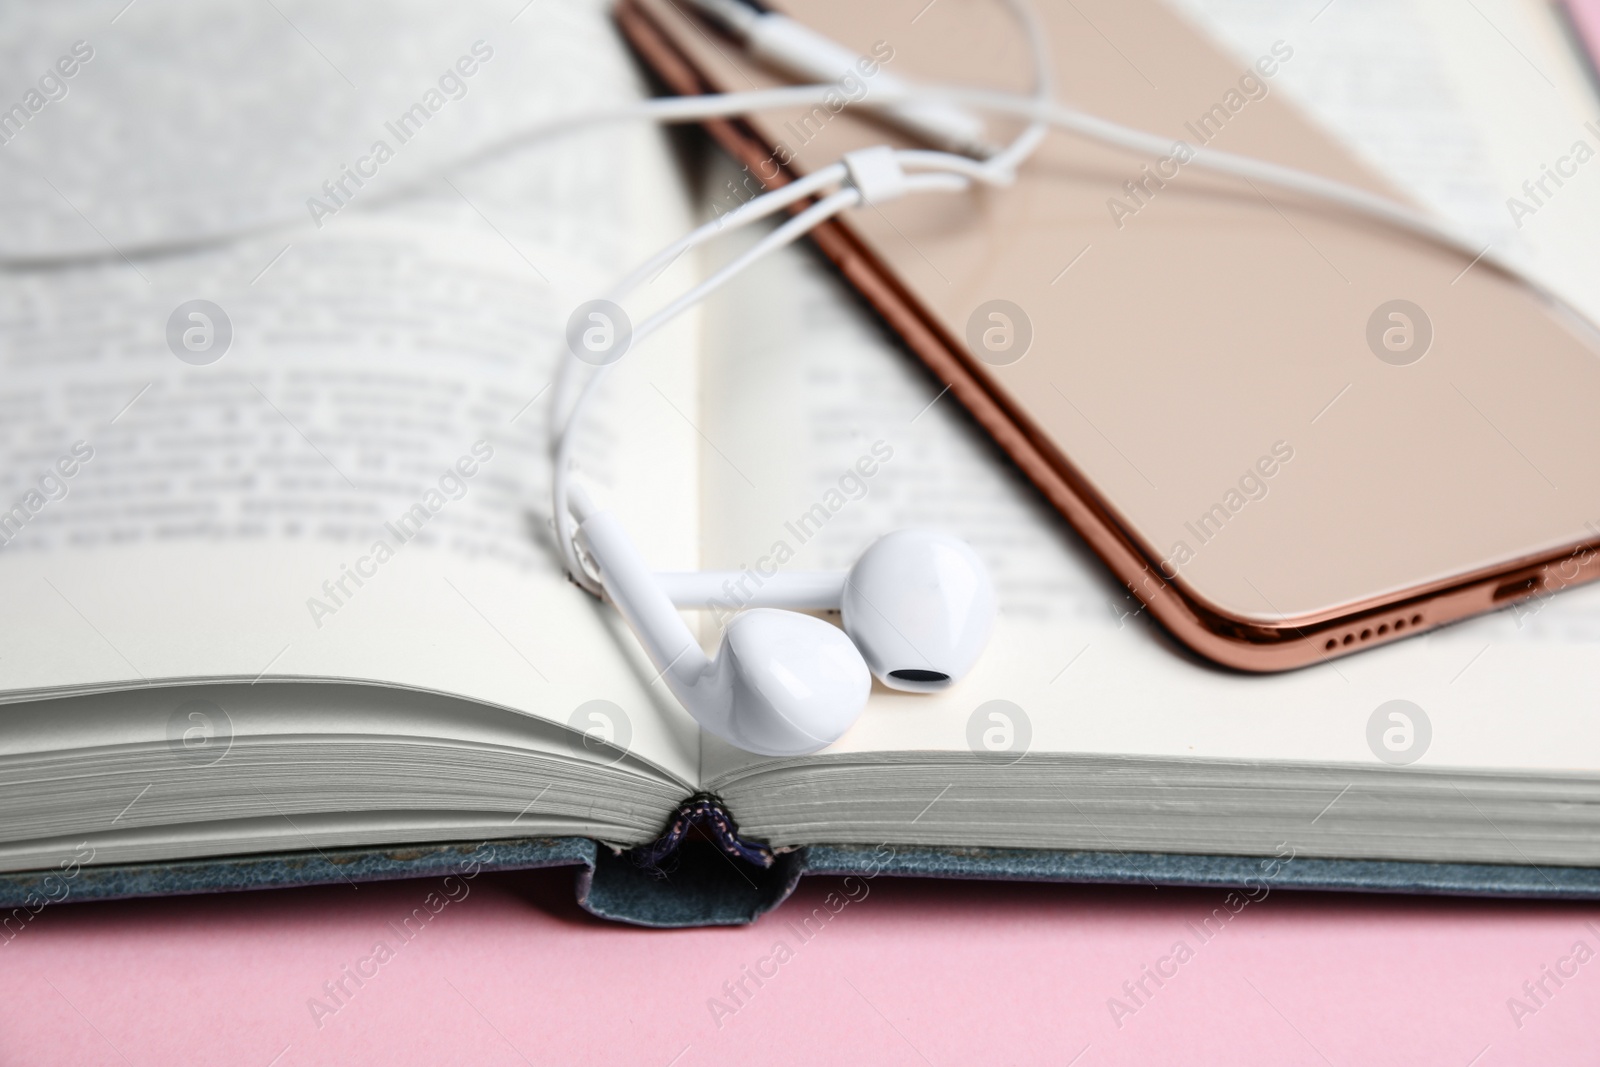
<point x="1292" y="433"/>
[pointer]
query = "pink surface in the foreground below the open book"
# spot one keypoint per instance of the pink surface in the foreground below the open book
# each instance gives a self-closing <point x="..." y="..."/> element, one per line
<point x="913" y="973"/>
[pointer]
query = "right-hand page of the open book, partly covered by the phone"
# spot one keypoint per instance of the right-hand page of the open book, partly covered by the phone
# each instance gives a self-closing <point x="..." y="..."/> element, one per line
<point x="802" y="380"/>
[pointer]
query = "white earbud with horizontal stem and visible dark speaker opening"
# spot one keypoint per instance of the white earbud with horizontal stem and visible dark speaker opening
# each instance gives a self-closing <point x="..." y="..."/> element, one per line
<point x="919" y="605"/>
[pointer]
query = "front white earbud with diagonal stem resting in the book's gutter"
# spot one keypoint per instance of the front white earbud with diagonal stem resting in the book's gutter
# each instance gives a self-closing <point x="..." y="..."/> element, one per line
<point x="783" y="684"/>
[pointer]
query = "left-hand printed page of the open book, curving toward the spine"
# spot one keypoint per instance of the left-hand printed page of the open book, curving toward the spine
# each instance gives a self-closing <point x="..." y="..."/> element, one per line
<point x="319" y="452"/>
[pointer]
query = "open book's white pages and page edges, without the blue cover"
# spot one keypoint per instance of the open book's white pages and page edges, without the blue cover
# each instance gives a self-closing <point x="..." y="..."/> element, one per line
<point x="278" y="565"/>
